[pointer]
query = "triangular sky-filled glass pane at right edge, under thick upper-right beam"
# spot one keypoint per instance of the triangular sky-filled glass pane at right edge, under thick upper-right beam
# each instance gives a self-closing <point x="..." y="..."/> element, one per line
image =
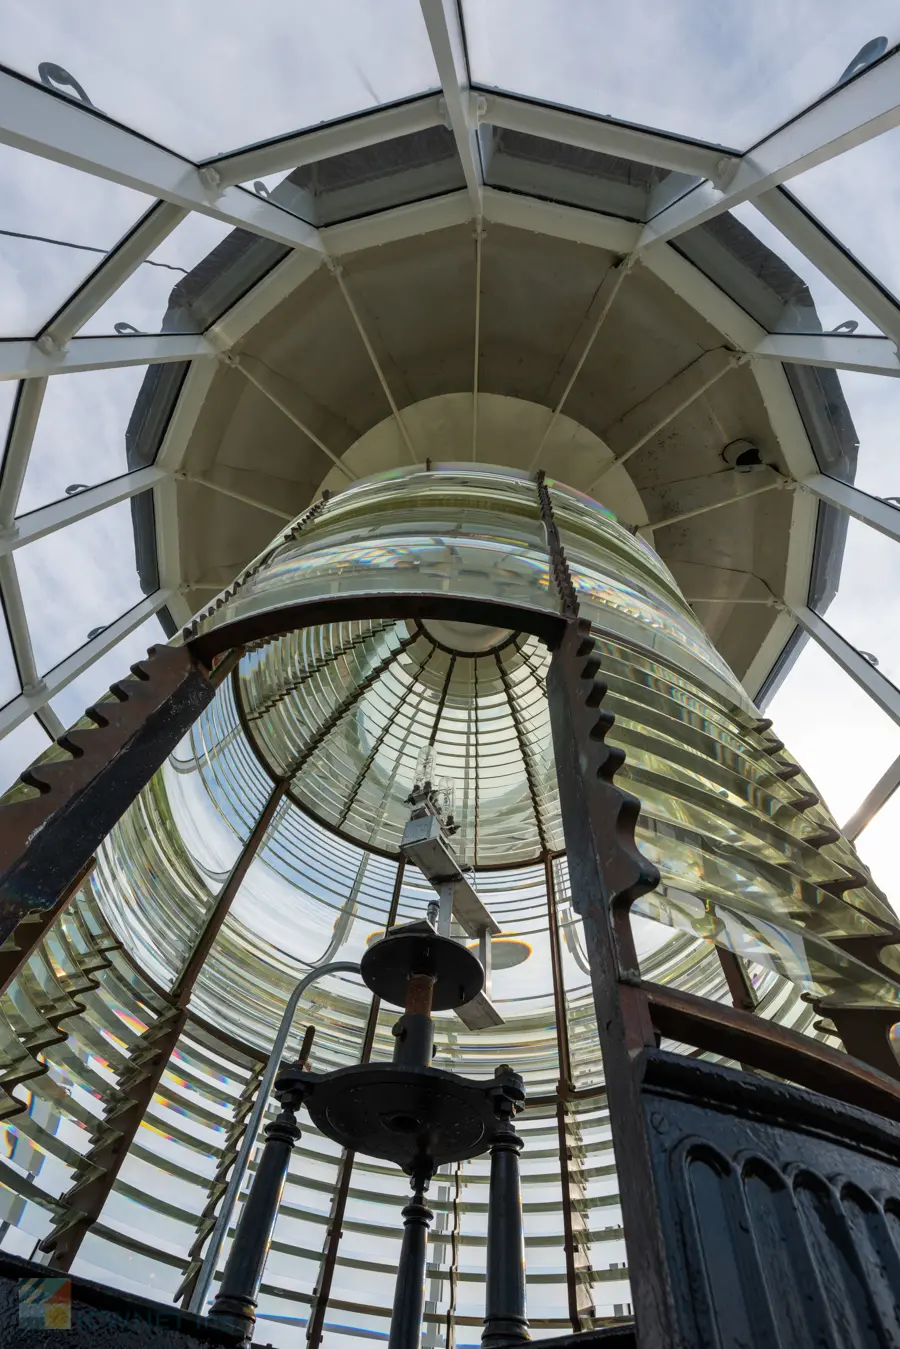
<point x="857" y="198"/>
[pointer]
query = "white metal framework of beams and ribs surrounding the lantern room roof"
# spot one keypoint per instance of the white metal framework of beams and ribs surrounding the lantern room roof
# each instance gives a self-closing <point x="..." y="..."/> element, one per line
<point x="67" y="132"/>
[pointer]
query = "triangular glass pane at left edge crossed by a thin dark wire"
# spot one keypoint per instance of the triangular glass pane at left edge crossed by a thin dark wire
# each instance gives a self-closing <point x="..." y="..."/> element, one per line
<point x="56" y="226"/>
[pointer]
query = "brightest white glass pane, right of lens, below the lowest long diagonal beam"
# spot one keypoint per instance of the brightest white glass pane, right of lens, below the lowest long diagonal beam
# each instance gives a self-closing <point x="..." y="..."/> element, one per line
<point x="817" y="694"/>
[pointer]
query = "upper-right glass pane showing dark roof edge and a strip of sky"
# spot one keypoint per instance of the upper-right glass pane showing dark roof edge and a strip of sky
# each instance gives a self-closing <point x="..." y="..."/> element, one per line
<point x="763" y="272"/>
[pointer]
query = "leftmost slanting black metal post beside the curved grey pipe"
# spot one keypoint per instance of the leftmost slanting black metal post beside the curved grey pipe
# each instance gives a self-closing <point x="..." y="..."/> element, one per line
<point x="235" y="1304"/>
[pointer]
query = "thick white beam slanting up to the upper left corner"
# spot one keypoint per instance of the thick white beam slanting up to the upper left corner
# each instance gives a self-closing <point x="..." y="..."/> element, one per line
<point x="45" y="125"/>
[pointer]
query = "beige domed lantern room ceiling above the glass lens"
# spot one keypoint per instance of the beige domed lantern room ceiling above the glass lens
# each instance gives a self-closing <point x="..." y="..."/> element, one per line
<point x="539" y="302"/>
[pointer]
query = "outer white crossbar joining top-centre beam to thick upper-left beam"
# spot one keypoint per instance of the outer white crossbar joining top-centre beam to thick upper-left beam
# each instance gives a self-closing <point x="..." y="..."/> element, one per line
<point x="337" y="138"/>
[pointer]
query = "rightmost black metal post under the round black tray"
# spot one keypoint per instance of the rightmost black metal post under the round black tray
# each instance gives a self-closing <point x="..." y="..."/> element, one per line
<point x="505" y="1319"/>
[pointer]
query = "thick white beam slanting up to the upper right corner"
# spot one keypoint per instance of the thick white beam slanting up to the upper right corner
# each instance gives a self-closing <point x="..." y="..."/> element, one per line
<point x="849" y="117"/>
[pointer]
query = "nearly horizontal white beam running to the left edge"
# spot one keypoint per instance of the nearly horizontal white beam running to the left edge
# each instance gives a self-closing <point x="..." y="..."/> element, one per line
<point x="22" y="360"/>
